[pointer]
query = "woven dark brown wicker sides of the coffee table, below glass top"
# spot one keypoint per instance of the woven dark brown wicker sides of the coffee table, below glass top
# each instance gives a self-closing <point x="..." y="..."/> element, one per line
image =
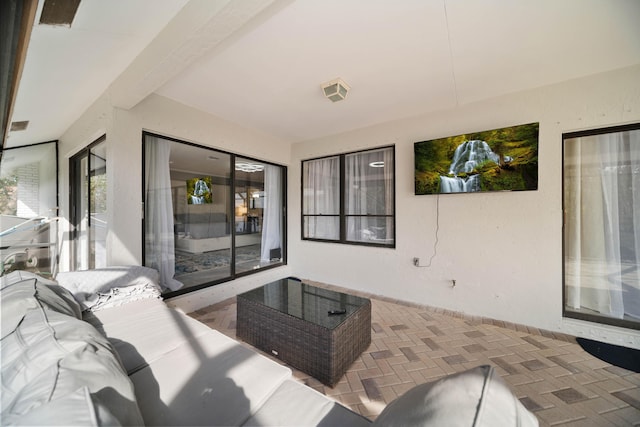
<point x="323" y="353"/>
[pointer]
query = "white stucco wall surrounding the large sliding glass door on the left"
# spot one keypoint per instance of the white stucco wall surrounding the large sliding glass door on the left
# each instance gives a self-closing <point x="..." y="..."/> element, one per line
<point x="124" y="174"/>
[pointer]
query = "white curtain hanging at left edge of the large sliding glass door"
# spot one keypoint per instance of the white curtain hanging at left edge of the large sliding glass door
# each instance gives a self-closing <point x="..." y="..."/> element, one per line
<point x="159" y="237"/>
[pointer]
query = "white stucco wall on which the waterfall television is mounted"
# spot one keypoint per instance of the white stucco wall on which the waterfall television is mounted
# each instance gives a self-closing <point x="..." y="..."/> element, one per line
<point x="503" y="249"/>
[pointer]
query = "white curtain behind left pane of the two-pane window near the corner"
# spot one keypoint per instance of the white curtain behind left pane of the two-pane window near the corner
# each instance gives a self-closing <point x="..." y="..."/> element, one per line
<point x="321" y="195"/>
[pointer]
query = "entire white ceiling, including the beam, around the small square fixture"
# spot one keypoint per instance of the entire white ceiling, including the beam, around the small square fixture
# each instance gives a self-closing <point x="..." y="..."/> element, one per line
<point x="260" y="63"/>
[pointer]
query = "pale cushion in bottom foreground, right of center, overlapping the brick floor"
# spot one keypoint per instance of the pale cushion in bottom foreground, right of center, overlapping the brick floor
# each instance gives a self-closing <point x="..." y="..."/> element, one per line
<point x="476" y="397"/>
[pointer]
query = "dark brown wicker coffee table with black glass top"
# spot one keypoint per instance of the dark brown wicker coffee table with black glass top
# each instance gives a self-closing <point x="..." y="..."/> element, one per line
<point x="315" y="330"/>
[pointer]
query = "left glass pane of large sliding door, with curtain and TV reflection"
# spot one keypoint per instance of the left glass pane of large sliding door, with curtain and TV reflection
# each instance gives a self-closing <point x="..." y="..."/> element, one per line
<point x="187" y="220"/>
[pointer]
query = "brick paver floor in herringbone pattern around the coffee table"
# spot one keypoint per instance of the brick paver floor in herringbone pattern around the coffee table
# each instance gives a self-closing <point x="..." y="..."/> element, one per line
<point x="550" y="374"/>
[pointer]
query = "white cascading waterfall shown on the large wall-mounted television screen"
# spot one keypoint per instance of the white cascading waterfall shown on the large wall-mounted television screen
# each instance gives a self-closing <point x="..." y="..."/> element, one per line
<point x="468" y="156"/>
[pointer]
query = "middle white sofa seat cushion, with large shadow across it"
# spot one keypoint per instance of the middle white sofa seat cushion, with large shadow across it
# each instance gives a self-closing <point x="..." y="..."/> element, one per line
<point x="211" y="380"/>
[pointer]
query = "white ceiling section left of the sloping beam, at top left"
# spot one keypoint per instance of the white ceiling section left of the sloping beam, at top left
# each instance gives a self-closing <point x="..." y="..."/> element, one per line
<point x="67" y="69"/>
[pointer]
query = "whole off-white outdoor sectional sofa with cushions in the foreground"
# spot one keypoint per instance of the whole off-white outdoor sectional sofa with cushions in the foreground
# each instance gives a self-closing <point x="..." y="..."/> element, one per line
<point x="101" y="348"/>
